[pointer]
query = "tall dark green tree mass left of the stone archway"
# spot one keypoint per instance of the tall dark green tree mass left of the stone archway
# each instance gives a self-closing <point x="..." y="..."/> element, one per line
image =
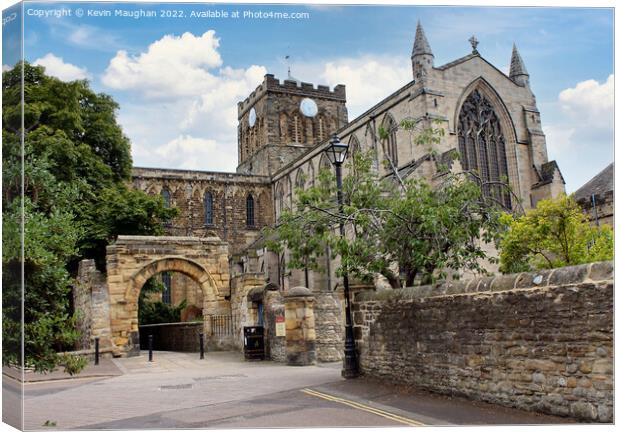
<point x="76" y="199"/>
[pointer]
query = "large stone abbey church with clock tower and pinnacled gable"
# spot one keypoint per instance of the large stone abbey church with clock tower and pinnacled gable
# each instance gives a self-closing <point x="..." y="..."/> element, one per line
<point x="489" y="117"/>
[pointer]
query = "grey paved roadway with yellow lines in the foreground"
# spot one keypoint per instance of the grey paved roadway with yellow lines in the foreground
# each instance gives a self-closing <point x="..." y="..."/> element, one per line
<point x="178" y="390"/>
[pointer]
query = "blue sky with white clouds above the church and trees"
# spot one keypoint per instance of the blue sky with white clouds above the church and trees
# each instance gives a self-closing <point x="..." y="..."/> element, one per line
<point x="177" y="80"/>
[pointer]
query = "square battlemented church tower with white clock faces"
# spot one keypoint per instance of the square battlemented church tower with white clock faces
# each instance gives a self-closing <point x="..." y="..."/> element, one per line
<point x="280" y="121"/>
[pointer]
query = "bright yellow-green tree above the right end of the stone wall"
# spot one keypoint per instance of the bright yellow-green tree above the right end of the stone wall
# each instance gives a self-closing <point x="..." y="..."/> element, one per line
<point x="554" y="234"/>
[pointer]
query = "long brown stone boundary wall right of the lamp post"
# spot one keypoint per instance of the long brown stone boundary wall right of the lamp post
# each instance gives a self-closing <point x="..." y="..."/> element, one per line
<point x="535" y="341"/>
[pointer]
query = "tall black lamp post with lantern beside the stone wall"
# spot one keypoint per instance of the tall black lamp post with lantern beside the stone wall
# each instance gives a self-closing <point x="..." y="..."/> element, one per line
<point x="337" y="153"/>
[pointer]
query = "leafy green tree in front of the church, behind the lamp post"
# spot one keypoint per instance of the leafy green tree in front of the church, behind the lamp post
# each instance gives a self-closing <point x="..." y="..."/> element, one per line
<point x="405" y="230"/>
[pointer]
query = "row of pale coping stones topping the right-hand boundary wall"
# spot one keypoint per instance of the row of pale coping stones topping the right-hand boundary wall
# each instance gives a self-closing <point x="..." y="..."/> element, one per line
<point x="570" y="275"/>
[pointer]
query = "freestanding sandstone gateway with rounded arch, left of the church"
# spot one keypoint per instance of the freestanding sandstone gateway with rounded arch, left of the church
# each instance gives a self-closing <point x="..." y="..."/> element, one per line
<point x="132" y="260"/>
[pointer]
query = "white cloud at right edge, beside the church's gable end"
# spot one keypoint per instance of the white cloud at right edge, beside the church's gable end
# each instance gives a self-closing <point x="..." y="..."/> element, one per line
<point x="581" y="138"/>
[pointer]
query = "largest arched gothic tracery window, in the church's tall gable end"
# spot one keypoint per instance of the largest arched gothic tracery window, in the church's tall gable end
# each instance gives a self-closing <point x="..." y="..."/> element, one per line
<point x="483" y="147"/>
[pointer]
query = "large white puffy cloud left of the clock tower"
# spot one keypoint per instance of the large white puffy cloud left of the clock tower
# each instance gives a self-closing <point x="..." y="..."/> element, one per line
<point x="182" y="112"/>
